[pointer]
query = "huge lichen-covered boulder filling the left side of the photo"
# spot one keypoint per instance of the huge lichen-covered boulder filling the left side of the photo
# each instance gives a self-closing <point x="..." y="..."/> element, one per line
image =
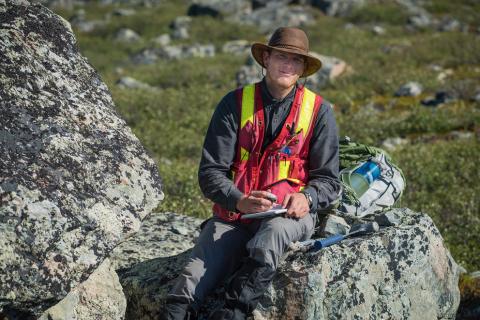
<point x="74" y="180"/>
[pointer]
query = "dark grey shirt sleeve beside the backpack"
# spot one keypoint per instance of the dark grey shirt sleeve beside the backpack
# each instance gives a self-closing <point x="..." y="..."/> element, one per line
<point x="324" y="184"/>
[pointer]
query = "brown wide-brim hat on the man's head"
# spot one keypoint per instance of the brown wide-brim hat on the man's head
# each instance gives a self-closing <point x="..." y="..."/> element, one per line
<point x="292" y="40"/>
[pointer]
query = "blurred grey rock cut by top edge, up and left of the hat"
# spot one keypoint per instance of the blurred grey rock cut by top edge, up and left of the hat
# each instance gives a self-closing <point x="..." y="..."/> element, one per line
<point x="218" y="8"/>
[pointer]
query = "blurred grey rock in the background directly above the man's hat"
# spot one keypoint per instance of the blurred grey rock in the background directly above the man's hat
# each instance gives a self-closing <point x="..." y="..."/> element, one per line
<point x="268" y="19"/>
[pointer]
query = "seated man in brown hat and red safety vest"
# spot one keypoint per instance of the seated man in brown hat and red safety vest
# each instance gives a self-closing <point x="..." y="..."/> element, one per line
<point x="273" y="137"/>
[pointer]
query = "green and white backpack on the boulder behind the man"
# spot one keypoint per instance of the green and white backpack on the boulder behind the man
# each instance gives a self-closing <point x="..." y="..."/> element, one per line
<point x="382" y="193"/>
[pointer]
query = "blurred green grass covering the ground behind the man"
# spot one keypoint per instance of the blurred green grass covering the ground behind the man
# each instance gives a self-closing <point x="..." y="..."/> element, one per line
<point x="171" y="121"/>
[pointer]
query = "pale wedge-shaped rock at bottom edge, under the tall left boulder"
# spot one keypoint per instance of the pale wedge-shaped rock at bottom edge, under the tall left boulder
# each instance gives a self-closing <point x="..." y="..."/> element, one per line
<point x="99" y="297"/>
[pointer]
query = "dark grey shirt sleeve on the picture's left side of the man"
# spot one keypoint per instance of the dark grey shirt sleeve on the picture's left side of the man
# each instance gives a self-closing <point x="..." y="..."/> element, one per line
<point x="218" y="154"/>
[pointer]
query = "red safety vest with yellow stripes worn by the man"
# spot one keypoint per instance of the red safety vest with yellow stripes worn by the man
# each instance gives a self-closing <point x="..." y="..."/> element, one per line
<point x="283" y="165"/>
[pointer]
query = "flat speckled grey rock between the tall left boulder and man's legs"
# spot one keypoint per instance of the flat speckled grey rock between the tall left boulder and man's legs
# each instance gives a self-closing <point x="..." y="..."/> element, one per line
<point x="162" y="234"/>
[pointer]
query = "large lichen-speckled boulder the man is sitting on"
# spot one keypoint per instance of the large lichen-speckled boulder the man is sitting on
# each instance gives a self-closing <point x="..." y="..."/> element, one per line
<point x="400" y="272"/>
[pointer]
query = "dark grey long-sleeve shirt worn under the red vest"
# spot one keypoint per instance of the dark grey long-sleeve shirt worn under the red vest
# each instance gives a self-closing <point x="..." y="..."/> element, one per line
<point x="220" y="145"/>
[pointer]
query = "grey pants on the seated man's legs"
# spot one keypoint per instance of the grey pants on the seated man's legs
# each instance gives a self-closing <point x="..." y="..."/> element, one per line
<point x="221" y="246"/>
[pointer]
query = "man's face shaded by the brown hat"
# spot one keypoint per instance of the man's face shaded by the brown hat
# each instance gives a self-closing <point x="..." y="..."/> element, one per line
<point x="283" y="69"/>
